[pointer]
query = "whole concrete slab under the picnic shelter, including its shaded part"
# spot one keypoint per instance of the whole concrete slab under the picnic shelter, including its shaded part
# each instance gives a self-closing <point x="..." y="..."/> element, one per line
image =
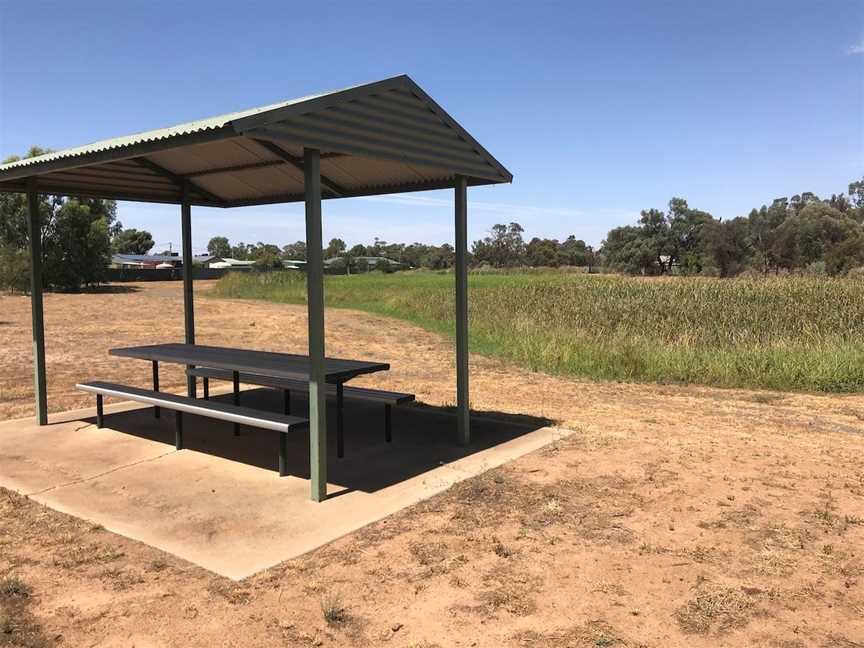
<point x="219" y="503"/>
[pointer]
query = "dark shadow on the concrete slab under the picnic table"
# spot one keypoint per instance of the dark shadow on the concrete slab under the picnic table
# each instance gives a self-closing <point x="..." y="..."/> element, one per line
<point x="424" y="437"/>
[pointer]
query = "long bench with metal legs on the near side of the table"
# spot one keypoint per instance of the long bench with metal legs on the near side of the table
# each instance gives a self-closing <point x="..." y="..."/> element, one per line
<point x="278" y="422"/>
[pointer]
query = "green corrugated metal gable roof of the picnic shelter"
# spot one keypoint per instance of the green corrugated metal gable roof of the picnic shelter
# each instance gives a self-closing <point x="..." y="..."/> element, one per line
<point x="383" y="137"/>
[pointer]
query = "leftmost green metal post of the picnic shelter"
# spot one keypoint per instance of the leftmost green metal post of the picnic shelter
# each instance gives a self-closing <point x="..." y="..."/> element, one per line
<point x="34" y="230"/>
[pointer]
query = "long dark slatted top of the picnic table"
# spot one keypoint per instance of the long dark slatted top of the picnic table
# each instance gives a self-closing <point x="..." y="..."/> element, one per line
<point x="265" y="363"/>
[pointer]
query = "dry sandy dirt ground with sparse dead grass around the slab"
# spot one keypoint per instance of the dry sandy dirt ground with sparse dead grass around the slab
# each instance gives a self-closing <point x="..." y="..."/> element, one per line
<point x="675" y="516"/>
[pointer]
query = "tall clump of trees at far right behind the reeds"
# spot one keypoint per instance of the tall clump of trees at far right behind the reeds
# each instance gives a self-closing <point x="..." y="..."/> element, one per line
<point x="802" y="234"/>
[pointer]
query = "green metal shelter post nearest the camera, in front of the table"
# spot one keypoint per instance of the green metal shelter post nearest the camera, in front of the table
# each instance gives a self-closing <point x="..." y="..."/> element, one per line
<point x="315" y="293"/>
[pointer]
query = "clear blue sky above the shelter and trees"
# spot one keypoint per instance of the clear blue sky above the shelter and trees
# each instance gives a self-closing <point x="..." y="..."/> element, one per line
<point x="599" y="109"/>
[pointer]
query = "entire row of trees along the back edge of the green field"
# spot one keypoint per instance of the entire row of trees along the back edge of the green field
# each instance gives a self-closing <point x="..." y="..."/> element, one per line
<point x="804" y="234"/>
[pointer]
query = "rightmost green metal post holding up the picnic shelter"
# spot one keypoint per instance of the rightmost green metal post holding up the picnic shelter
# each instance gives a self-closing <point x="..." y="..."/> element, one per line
<point x="463" y="426"/>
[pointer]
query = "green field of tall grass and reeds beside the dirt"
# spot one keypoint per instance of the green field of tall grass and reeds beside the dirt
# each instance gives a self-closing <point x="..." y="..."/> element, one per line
<point x="789" y="333"/>
